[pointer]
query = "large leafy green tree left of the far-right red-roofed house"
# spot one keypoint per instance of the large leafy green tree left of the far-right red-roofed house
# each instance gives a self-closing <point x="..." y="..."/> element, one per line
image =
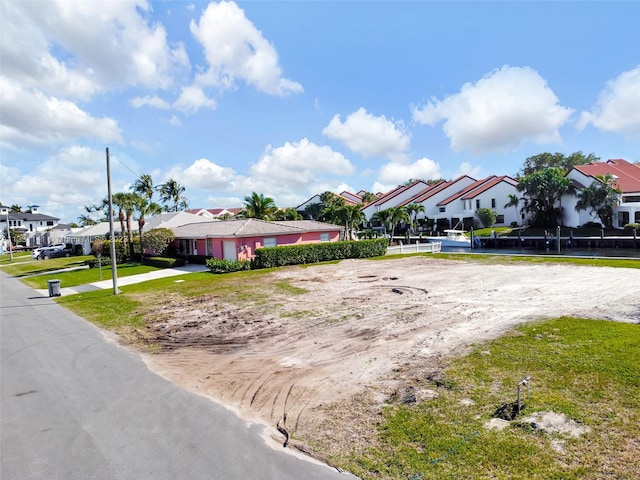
<point x="542" y="190"/>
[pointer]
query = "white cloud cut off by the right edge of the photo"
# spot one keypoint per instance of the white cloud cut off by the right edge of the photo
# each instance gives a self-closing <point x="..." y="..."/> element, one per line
<point x="618" y="106"/>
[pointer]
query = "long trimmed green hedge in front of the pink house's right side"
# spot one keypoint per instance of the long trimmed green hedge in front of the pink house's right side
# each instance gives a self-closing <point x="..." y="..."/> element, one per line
<point x="318" y="252"/>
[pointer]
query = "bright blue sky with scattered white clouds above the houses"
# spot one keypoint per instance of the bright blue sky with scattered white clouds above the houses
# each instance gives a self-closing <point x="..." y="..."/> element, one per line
<point x="294" y="98"/>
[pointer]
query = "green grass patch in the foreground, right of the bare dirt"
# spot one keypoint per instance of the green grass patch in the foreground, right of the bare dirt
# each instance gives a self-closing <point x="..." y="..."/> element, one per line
<point x="585" y="369"/>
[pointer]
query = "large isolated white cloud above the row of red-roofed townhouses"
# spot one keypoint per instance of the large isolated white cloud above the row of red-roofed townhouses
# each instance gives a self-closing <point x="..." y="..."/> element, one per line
<point x="499" y="112"/>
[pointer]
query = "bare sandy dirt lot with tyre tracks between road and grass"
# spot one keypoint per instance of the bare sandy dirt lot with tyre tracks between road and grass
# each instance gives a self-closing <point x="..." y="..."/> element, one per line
<point x="362" y="329"/>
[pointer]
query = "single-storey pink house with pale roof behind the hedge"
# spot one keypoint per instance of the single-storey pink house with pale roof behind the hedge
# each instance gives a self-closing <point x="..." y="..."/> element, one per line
<point x="238" y="239"/>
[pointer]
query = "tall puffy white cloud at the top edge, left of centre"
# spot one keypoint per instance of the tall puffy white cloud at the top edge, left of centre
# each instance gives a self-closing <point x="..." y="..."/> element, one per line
<point x="235" y="49"/>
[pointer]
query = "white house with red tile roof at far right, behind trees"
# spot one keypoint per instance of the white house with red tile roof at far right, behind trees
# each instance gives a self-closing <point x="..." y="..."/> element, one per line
<point x="626" y="176"/>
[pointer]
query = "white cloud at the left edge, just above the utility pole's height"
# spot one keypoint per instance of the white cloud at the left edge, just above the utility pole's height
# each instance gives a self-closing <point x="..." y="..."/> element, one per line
<point x="31" y="117"/>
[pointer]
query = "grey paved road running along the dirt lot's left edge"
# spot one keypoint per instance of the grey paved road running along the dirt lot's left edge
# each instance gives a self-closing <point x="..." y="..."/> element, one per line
<point x="75" y="405"/>
